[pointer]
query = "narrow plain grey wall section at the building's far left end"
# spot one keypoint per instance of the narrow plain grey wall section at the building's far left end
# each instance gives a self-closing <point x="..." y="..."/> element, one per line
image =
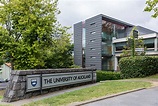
<point x="78" y="44"/>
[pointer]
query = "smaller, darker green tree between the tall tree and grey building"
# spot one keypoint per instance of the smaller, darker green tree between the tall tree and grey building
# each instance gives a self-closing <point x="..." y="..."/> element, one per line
<point x="61" y="55"/>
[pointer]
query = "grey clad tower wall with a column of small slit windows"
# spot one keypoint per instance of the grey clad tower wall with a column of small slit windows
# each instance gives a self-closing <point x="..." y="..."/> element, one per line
<point x="93" y="32"/>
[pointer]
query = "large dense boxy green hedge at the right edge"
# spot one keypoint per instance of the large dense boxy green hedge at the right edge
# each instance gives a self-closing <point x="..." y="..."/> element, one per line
<point x="139" y="66"/>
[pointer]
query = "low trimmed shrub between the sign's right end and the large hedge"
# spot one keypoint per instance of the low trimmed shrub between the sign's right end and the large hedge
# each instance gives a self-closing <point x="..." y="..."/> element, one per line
<point x="107" y="75"/>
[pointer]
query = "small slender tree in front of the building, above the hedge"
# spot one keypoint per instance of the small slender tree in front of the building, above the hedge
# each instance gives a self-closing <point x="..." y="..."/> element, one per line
<point x="133" y="43"/>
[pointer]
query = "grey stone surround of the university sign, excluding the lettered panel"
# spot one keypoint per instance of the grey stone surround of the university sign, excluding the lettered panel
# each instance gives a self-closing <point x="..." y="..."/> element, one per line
<point x="17" y="86"/>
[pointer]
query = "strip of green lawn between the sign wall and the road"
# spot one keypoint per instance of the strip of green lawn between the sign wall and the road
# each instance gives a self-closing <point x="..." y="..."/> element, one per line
<point x="103" y="89"/>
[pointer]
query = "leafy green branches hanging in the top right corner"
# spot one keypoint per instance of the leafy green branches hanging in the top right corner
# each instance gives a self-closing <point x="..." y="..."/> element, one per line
<point x="152" y="5"/>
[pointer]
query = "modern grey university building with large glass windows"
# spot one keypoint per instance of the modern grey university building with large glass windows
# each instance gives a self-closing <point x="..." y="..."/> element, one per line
<point x="99" y="41"/>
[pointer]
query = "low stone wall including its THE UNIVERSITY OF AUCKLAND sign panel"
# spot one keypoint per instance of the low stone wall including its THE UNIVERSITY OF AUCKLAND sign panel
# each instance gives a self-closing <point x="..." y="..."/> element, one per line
<point x="27" y="83"/>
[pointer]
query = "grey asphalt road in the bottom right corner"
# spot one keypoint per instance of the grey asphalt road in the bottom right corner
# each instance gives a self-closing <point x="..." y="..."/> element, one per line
<point x="146" y="97"/>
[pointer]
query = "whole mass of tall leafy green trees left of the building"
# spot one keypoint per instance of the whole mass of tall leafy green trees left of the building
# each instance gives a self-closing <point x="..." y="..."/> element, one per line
<point x="30" y="34"/>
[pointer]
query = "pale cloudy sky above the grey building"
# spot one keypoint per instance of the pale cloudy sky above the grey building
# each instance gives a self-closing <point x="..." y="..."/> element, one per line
<point x="130" y="11"/>
